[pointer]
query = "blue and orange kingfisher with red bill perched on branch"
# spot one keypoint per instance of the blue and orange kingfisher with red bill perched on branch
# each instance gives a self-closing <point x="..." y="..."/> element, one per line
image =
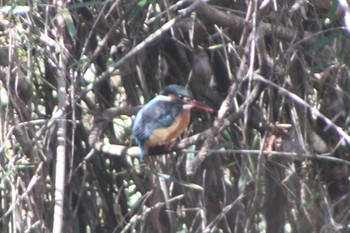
<point x="165" y="117"/>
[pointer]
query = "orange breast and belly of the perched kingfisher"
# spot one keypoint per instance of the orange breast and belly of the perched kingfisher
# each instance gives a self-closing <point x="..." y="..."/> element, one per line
<point x="176" y="129"/>
